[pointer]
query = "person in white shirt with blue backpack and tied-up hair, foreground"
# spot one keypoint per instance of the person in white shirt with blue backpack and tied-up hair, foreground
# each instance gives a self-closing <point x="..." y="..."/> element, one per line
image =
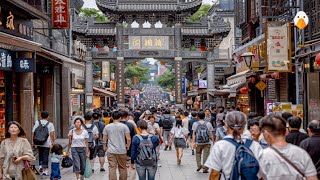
<point x="222" y="159"/>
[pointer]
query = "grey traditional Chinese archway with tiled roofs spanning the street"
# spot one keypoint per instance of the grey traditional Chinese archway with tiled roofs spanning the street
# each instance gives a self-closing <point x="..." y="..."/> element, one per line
<point x="176" y="40"/>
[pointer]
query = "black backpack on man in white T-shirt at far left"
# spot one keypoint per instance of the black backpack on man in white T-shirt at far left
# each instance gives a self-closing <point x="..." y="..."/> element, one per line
<point x="41" y="134"/>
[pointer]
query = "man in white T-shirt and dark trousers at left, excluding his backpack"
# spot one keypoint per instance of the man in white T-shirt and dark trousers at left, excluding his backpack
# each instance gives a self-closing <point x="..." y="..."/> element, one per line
<point x="45" y="148"/>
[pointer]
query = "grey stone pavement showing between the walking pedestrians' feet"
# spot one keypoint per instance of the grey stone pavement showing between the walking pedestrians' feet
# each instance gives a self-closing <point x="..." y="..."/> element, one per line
<point x="169" y="170"/>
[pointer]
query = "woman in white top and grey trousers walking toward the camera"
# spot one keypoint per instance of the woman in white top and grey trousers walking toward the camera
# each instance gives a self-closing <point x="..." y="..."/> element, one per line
<point x="78" y="144"/>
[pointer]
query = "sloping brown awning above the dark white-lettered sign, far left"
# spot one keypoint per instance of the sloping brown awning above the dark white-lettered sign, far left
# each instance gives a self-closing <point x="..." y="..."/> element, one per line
<point x="19" y="43"/>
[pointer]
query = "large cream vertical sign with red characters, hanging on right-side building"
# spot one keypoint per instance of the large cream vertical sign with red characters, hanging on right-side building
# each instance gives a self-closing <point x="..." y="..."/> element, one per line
<point x="278" y="47"/>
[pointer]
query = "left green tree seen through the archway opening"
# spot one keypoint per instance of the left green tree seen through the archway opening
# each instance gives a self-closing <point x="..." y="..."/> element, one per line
<point x="136" y="71"/>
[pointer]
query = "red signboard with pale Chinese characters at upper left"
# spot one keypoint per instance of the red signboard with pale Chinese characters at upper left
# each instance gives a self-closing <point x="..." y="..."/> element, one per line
<point x="60" y="13"/>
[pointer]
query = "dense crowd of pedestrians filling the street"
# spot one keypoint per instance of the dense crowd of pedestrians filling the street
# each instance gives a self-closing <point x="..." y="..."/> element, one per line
<point x="226" y="144"/>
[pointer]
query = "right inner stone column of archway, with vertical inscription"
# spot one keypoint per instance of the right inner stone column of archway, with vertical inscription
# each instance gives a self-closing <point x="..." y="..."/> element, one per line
<point x="178" y="66"/>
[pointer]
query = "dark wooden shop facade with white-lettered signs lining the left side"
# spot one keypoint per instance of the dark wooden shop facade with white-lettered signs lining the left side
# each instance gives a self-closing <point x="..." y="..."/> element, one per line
<point x="33" y="61"/>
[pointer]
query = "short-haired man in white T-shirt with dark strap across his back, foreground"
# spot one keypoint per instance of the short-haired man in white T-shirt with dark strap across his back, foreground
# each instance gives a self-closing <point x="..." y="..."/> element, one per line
<point x="282" y="160"/>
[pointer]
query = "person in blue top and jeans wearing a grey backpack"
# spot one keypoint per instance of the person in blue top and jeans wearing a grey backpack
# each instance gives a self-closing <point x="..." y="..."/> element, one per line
<point x="143" y="152"/>
